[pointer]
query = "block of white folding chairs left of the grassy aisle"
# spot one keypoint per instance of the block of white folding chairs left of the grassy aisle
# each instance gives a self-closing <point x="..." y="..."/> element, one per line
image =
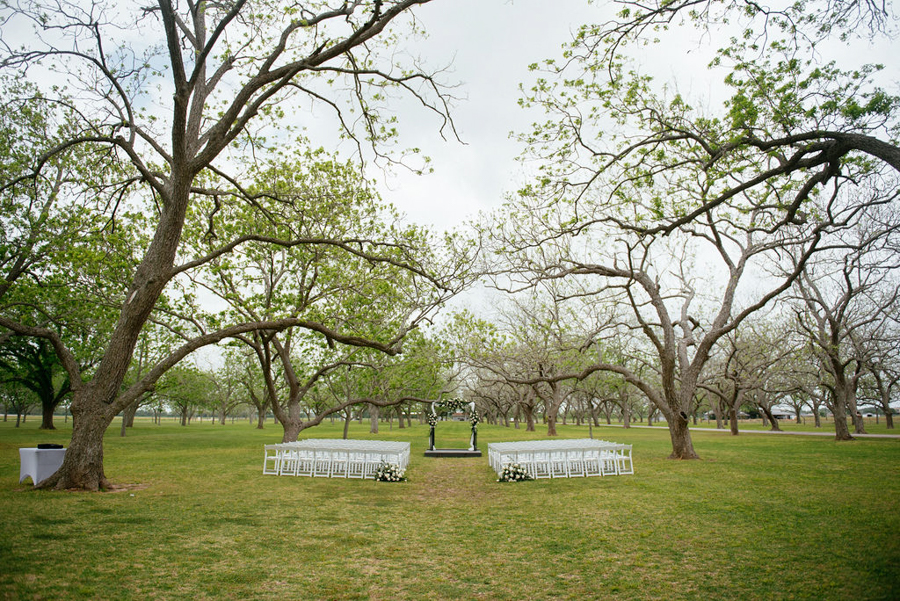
<point x="333" y="458"/>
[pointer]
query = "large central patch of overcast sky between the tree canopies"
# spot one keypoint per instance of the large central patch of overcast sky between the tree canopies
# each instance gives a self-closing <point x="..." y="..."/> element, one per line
<point x="490" y="44"/>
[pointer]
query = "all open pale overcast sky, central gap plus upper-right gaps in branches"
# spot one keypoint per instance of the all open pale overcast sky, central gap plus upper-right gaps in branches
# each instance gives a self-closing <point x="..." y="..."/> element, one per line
<point x="490" y="44"/>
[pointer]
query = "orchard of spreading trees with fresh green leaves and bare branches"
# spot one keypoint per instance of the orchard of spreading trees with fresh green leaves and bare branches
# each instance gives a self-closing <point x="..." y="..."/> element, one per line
<point x="163" y="192"/>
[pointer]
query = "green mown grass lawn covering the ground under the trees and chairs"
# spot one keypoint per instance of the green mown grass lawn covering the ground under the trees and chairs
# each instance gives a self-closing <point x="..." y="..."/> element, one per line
<point x="759" y="517"/>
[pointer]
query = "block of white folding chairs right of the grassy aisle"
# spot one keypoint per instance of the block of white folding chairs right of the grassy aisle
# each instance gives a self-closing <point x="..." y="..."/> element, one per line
<point x="563" y="458"/>
